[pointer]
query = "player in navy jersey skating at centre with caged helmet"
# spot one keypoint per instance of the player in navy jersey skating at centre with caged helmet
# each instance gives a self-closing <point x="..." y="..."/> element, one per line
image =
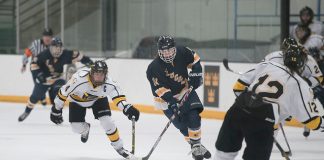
<point x="169" y="80"/>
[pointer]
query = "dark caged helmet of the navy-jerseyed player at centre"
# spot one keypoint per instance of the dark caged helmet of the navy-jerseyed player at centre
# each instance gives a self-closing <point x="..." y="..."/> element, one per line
<point x="166" y="48"/>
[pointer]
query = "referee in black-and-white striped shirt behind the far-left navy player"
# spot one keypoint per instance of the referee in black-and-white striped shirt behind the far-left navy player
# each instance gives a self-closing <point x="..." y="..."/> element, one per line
<point x="36" y="47"/>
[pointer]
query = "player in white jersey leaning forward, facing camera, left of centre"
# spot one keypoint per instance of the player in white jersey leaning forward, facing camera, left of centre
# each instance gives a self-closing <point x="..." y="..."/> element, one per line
<point x="89" y="89"/>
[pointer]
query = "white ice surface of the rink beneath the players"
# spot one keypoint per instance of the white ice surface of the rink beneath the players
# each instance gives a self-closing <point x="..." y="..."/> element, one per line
<point x="39" y="139"/>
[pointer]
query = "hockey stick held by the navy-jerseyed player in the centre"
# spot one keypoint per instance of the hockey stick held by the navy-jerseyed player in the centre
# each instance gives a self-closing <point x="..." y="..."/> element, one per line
<point x="185" y="97"/>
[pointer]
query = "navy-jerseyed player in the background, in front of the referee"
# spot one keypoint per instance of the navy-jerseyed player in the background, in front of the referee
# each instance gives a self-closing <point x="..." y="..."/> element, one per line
<point x="48" y="69"/>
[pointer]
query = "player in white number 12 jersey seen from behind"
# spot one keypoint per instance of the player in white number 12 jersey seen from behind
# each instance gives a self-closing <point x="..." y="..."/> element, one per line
<point x="269" y="94"/>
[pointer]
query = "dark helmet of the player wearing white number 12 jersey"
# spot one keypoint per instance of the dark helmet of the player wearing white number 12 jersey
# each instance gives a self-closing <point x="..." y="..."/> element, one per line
<point x="295" y="57"/>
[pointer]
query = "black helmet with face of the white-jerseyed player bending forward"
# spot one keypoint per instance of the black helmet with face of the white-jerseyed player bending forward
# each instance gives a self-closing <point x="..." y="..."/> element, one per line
<point x="98" y="72"/>
